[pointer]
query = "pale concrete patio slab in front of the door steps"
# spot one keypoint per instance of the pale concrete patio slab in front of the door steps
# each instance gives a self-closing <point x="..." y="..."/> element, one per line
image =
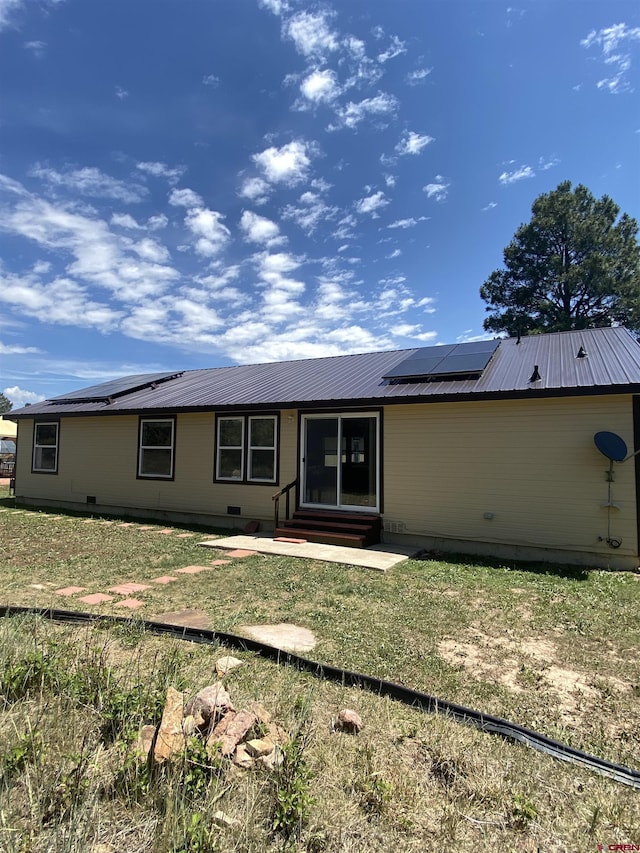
<point x="381" y="558"/>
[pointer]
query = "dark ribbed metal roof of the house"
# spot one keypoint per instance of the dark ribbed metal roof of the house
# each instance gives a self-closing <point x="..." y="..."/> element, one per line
<point x="611" y="363"/>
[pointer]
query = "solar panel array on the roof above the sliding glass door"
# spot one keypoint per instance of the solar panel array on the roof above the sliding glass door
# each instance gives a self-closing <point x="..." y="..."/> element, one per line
<point x="451" y="361"/>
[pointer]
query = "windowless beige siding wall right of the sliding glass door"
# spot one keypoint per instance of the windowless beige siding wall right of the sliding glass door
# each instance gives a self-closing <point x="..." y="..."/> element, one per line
<point x="532" y="464"/>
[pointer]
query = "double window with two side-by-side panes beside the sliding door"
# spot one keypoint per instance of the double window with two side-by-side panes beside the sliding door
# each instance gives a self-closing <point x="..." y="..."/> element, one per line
<point x="246" y="449"/>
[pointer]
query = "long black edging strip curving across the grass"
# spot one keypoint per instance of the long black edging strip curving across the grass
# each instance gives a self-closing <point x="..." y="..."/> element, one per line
<point x="415" y="698"/>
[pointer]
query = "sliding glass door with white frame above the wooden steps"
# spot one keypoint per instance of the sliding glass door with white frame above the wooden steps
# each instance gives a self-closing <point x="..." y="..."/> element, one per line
<point x="340" y="461"/>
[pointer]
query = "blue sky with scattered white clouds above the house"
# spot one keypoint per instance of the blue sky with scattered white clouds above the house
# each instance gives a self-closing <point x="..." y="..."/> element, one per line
<point x="194" y="183"/>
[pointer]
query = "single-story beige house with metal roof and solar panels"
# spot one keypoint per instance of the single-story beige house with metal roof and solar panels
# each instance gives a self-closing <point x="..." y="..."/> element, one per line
<point x="484" y="447"/>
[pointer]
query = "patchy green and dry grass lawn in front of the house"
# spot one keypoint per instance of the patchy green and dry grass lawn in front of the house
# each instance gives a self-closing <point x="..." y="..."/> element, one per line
<point x="553" y="648"/>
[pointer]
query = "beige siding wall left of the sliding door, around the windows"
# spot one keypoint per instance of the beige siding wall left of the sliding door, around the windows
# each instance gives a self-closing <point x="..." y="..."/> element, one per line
<point x="98" y="457"/>
